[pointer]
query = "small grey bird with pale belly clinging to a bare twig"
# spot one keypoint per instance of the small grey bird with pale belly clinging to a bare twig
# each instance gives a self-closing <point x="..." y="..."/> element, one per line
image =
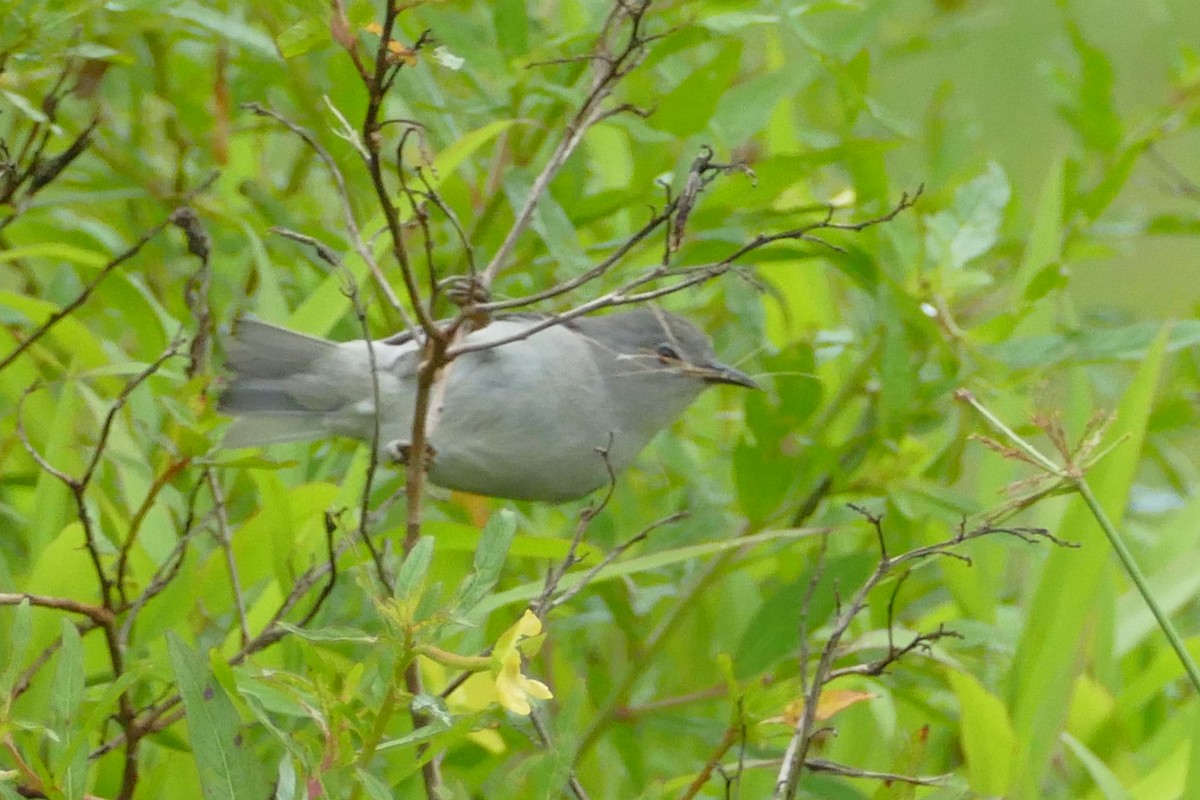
<point x="527" y="420"/>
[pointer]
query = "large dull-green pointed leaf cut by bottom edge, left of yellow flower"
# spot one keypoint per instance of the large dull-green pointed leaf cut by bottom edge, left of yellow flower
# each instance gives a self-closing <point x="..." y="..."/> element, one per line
<point x="229" y="769"/>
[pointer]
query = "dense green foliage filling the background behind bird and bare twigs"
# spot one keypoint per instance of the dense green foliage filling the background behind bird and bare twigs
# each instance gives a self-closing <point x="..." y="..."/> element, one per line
<point x="1055" y="239"/>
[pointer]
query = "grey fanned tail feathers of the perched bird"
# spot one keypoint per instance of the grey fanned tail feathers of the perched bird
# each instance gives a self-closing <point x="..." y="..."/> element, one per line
<point x="271" y="368"/>
